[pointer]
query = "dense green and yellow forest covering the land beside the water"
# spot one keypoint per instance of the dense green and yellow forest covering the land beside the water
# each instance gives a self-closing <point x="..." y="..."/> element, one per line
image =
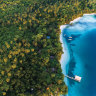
<point x="29" y="61"/>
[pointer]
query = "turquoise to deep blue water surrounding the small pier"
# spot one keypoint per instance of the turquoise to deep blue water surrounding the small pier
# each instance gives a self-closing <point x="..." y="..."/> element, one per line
<point x="82" y="50"/>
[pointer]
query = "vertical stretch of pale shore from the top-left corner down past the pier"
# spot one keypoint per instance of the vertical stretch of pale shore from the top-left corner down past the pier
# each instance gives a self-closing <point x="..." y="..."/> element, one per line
<point x="65" y="56"/>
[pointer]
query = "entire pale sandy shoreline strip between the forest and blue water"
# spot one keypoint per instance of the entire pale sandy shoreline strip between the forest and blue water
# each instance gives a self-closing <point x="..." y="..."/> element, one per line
<point x="66" y="55"/>
